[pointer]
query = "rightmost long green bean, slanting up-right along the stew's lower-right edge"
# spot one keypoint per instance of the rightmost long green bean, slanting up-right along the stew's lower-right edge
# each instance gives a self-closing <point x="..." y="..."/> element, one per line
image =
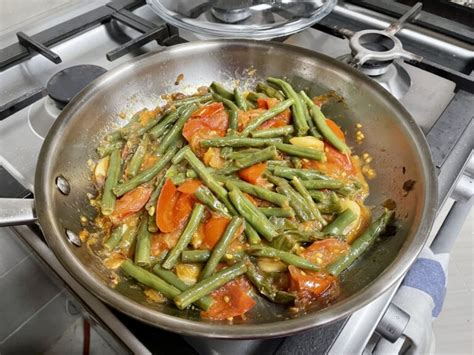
<point x="361" y="244"/>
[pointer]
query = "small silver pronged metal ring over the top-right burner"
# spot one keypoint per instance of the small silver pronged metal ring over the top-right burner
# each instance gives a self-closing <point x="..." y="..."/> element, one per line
<point x="373" y="51"/>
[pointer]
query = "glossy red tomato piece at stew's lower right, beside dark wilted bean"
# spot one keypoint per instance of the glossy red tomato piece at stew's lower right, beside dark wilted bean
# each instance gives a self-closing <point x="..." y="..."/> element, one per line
<point x="312" y="287"/>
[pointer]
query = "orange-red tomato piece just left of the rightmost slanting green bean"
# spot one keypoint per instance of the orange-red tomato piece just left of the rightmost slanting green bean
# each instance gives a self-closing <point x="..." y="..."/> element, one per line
<point x="324" y="252"/>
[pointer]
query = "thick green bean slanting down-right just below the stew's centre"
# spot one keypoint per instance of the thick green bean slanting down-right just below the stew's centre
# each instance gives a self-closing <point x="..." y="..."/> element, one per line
<point x="251" y="214"/>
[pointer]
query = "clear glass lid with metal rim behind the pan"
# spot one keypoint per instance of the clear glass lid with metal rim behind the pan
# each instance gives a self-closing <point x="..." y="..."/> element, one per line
<point x="252" y="19"/>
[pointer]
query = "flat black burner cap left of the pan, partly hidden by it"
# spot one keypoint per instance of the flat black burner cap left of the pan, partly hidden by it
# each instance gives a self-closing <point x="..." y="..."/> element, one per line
<point x="67" y="83"/>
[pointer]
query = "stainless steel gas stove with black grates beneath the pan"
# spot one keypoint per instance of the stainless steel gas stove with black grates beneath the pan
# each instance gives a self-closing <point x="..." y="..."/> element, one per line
<point x="430" y="76"/>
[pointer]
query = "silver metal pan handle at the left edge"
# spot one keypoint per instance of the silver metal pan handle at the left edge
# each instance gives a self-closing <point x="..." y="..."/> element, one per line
<point x="15" y="211"/>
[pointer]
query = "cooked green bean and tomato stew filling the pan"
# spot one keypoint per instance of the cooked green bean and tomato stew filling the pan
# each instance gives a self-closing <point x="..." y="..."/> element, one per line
<point x="220" y="197"/>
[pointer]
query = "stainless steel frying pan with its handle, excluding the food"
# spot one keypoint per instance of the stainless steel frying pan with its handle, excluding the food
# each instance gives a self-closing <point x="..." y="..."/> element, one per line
<point x="392" y="137"/>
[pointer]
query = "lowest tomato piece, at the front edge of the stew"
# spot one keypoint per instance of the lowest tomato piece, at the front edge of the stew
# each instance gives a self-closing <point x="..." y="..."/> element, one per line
<point x="230" y="300"/>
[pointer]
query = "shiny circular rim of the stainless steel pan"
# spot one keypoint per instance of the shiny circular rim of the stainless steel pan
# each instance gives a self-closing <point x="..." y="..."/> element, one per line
<point x="337" y="311"/>
